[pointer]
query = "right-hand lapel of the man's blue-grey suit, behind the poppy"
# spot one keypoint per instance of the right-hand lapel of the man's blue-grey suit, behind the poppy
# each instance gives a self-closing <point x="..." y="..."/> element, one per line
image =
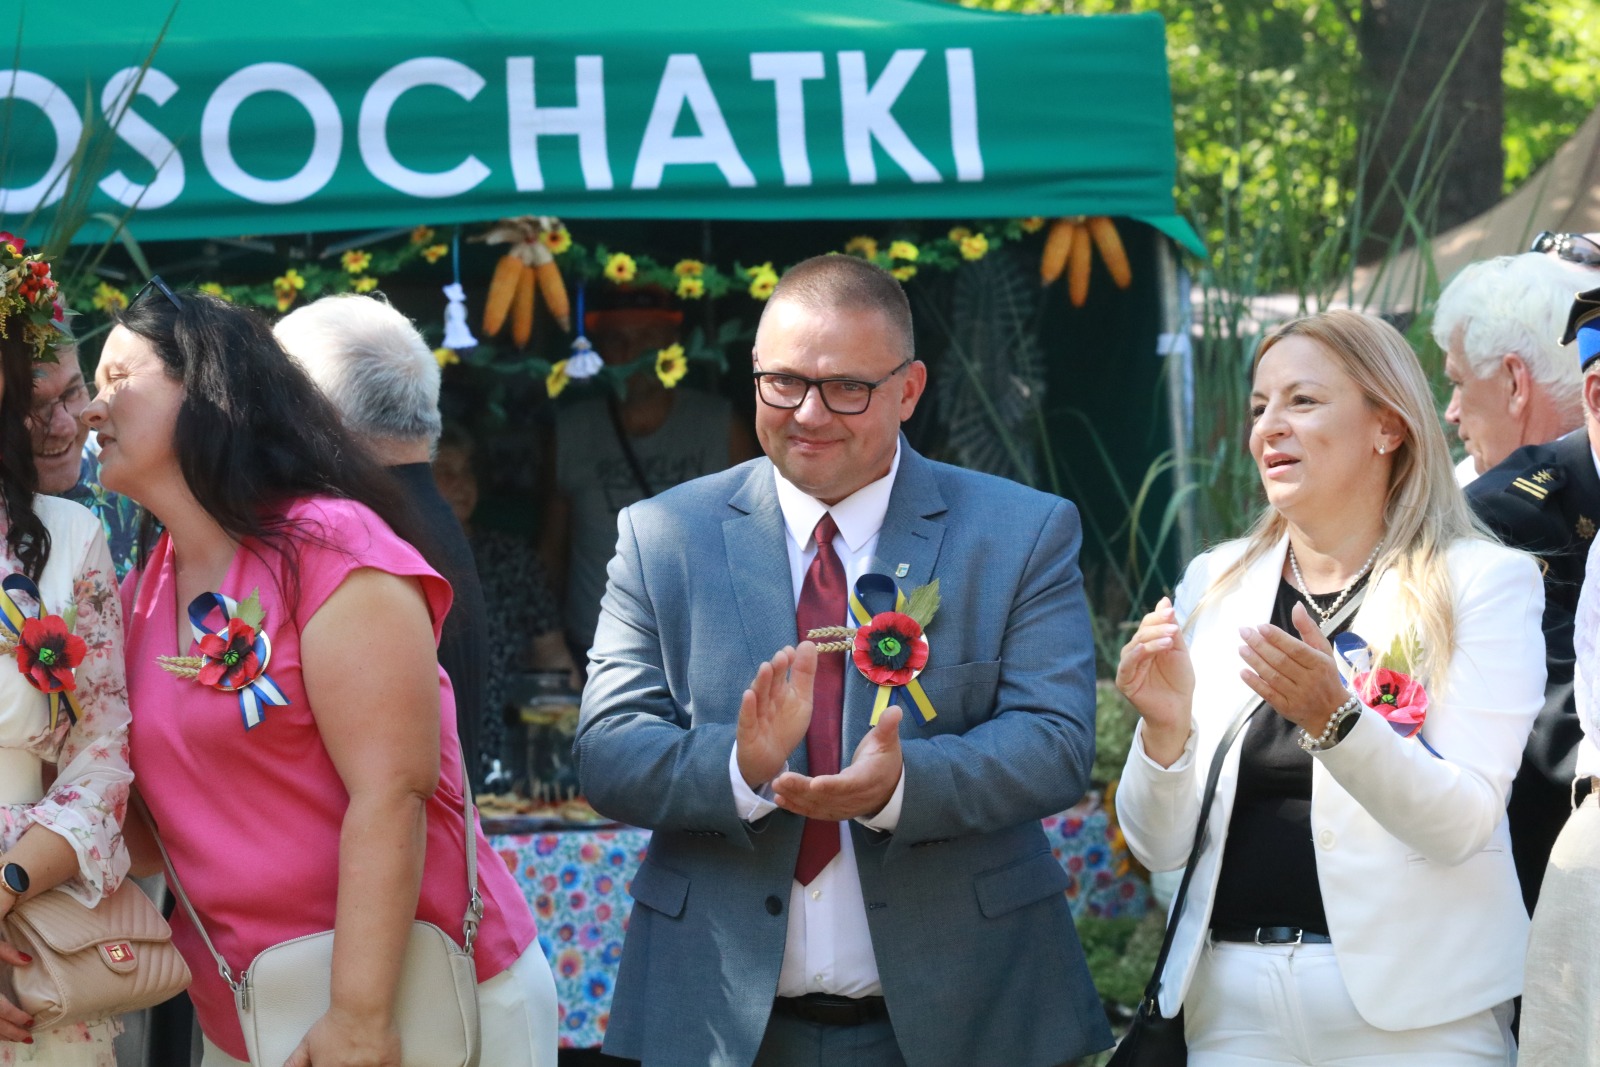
<point x="910" y="538"/>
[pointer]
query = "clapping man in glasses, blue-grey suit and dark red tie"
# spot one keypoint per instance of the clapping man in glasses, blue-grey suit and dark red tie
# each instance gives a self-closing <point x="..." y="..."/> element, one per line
<point x="900" y="908"/>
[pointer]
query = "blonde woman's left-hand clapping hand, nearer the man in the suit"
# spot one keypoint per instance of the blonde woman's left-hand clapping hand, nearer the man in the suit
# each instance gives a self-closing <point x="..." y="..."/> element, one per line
<point x="1159" y="681"/>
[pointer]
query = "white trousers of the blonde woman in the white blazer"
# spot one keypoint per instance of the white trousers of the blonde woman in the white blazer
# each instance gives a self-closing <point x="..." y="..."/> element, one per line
<point x="1287" y="1007"/>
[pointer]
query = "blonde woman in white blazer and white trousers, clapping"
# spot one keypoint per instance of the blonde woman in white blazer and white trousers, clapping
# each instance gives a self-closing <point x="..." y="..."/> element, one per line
<point x="1356" y="901"/>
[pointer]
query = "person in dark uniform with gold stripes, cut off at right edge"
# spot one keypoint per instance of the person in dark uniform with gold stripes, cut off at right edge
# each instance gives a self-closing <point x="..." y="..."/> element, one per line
<point x="1546" y="500"/>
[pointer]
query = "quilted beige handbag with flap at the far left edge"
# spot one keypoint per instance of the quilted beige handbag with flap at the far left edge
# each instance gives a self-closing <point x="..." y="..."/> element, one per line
<point x="92" y="964"/>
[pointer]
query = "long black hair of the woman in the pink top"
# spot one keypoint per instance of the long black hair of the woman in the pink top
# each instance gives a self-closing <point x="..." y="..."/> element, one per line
<point x="255" y="433"/>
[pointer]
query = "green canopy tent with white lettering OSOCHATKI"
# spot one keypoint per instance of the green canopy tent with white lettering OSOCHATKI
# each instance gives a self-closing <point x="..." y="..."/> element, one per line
<point x="314" y="116"/>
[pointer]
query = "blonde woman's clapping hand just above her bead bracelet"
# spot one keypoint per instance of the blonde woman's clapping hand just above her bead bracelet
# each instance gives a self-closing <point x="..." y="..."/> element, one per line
<point x="1300" y="679"/>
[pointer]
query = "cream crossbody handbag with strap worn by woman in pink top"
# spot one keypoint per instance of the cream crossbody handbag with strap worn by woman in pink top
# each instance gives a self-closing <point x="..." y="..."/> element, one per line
<point x="286" y="989"/>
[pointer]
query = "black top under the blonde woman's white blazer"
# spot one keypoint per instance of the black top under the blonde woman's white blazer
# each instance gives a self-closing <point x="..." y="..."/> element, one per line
<point x="1270" y="865"/>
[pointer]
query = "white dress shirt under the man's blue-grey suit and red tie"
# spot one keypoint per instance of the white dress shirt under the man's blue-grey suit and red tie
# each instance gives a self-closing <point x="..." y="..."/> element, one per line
<point x="830" y="948"/>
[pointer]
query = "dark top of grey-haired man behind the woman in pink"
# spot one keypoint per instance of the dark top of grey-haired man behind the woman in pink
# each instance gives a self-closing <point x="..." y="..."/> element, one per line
<point x="466" y="628"/>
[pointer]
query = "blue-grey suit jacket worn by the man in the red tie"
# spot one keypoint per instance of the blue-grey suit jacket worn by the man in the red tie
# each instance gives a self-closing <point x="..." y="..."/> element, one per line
<point x="972" y="933"/>
